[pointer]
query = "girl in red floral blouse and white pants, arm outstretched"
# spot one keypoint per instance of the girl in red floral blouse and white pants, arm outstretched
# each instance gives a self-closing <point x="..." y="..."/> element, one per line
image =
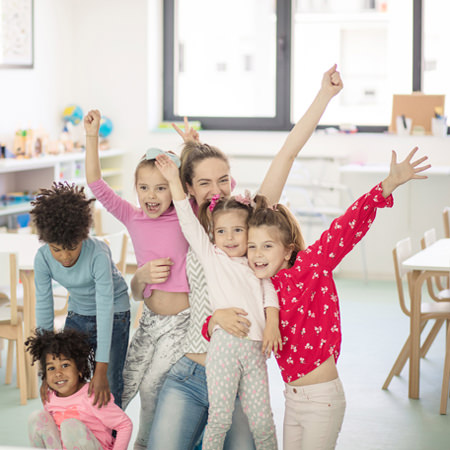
<point x="309" y="309"/>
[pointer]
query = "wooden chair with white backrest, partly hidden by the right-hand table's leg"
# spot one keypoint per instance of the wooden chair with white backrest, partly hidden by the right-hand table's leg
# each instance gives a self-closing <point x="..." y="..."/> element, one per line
<point x="438" y="311"/>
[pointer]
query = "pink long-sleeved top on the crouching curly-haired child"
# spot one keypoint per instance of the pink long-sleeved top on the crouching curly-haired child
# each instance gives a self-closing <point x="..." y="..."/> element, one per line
<point x="101" y="421"/>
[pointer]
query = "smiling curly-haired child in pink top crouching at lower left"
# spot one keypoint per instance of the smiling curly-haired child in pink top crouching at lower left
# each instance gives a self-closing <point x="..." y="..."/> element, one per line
<point x="70" y="420"/>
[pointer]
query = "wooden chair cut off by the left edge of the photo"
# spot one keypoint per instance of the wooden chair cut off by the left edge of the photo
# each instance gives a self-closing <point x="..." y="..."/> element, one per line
<point x="11" y="323"/>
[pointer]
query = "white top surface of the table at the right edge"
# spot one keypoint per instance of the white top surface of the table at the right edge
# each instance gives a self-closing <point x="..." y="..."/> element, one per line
<point x="435" y="257"/>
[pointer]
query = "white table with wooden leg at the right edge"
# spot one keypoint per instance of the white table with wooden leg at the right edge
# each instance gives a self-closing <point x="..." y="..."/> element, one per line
<point x="430" y="262"/>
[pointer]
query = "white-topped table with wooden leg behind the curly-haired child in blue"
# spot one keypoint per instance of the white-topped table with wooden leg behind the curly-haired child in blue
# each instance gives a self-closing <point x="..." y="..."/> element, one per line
<point x="26" y="247"/>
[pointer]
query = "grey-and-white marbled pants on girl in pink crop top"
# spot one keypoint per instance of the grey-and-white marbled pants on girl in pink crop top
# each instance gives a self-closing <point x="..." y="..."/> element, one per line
<point x="155" y="347"/>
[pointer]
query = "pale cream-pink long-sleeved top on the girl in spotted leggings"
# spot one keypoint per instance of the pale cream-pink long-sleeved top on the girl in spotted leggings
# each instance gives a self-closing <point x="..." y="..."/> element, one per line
<point x="231" y="282"/>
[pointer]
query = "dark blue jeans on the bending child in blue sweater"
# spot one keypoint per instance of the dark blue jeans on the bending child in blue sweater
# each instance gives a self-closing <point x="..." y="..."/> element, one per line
<point x="119" y="345"/>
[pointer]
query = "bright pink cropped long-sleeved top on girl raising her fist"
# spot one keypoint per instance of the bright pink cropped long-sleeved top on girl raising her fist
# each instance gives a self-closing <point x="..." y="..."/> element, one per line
<point x="152" y="238"/>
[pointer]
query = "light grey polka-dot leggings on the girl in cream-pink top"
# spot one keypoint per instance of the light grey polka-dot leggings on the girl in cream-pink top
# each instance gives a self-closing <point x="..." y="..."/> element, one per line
<point x="237" y="366"/>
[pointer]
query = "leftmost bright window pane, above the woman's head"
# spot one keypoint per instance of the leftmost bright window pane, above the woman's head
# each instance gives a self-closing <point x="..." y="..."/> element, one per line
<point x="225" y="58"/>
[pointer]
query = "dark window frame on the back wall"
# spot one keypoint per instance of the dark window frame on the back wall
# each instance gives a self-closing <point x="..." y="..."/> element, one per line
<point x="282" y="120"/>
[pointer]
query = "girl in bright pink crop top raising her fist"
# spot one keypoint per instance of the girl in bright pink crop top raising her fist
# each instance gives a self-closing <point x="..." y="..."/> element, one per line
<point x="160" y="248"/>
